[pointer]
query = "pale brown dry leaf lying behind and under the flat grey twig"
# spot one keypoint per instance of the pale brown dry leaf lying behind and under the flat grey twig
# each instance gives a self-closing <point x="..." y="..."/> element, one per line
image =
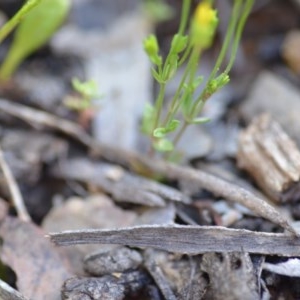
<point x="97" y="211"/>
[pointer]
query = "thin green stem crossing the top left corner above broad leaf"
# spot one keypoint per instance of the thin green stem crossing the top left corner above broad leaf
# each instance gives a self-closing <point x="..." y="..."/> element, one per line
<point x="17" y="18"/>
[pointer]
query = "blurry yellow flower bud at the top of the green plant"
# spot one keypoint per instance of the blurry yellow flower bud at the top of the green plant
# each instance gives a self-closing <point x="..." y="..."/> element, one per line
<point x="204" y="24"/>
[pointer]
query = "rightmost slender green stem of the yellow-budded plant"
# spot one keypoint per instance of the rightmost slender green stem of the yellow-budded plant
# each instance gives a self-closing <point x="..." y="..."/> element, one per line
<point x="240" y="27"/>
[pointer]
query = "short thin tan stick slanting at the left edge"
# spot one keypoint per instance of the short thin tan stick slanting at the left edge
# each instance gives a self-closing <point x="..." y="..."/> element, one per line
<point x="14" y="190"/>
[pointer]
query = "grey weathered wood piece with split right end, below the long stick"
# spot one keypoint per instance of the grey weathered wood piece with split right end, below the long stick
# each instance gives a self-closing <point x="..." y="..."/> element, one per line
<point x="118" y="182"/>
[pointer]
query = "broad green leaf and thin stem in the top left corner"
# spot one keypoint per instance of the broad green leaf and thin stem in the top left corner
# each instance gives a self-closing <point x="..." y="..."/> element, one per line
<point x="39" y="19"/>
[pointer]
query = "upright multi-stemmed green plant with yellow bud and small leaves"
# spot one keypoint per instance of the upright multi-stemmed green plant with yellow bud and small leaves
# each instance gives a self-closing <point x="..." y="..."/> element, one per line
<point x="187" y="49"/>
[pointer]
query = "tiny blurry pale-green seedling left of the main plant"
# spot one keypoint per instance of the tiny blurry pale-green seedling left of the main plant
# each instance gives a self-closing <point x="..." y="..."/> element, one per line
<point x="87" y="93"/>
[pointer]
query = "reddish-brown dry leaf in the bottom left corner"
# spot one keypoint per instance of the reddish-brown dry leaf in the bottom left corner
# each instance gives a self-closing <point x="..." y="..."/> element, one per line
<point x="39" y="268"/>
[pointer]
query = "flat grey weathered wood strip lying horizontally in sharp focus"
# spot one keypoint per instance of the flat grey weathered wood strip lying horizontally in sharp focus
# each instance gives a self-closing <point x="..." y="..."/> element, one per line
<point x="186" y="239"/>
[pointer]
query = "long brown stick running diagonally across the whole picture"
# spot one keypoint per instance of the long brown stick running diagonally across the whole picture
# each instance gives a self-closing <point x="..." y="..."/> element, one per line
<point x="216" y="185"/>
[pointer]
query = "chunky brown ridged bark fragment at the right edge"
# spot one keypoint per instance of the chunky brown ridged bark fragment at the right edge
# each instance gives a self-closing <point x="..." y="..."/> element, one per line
<point x="272" y="158"/>
